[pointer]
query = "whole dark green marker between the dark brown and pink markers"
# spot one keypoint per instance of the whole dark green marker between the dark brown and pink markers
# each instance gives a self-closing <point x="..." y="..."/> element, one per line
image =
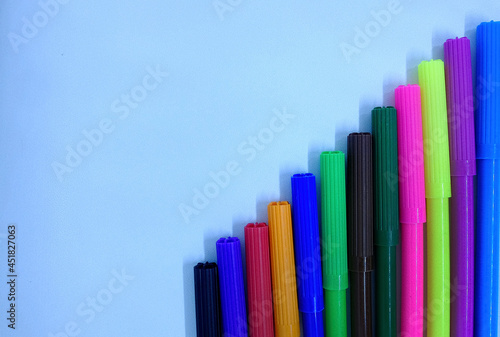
<point x="386" y="217"/>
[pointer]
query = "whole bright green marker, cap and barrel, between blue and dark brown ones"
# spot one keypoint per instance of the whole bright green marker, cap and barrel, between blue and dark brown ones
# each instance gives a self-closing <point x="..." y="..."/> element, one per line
<point x="334" y="242"/>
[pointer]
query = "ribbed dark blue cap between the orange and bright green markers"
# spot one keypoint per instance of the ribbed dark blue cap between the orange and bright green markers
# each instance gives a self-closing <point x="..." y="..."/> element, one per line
<point x="306" y="243"/>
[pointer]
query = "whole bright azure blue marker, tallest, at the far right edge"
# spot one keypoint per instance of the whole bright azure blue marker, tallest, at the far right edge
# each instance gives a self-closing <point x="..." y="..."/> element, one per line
<point x="488" y="182"/>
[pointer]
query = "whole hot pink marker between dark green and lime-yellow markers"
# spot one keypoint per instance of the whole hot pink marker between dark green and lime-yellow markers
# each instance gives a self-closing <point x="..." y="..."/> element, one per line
<point x="411" y="208"/>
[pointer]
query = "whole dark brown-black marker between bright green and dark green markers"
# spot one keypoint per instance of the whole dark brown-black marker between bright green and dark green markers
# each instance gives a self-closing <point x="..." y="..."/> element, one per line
<point x="360" y="231"/>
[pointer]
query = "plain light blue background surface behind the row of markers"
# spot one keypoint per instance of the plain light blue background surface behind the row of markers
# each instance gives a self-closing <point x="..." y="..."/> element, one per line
<point x="119" y="209"/>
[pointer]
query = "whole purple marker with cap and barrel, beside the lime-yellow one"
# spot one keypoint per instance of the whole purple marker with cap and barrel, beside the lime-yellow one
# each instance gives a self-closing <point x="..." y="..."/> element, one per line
<point x="458" y="73"/>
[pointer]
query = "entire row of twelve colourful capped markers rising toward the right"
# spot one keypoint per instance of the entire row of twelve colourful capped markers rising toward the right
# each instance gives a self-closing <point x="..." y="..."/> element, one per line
<point x="416" y="168"/>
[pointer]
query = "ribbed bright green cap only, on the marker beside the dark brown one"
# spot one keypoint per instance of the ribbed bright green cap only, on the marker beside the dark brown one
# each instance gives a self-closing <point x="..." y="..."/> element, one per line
<point x="333" y="224"/>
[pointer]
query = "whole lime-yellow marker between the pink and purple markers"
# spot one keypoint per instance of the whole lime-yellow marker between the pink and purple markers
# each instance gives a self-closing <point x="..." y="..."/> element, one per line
<point x="431" y="79"/>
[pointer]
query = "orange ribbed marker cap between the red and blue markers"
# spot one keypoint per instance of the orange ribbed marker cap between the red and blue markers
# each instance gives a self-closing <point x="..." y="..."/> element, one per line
<point x="286" y="311"/>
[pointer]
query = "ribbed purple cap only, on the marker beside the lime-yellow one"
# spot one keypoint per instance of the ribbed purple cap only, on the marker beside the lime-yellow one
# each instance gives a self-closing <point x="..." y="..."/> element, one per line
<point x="460" y="100"/>
